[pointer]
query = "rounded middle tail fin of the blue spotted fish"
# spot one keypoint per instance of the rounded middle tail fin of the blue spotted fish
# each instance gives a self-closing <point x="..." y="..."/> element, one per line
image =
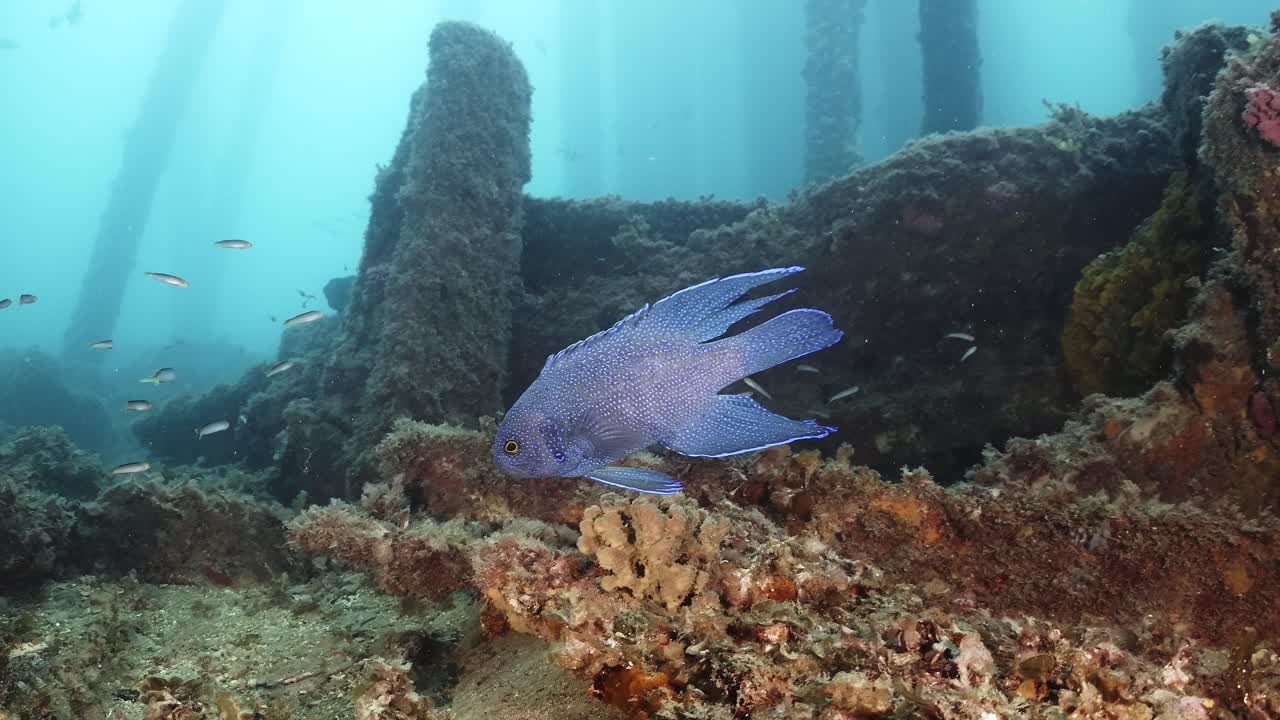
<point x="785" y="338"/>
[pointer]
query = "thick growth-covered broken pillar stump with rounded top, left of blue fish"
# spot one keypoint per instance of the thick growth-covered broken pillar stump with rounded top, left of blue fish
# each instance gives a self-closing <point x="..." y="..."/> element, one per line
<point x="428" y="330"/>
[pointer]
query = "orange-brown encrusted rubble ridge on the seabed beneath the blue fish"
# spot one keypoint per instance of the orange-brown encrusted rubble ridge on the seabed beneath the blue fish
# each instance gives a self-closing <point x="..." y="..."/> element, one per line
<point x="815" y="590"/>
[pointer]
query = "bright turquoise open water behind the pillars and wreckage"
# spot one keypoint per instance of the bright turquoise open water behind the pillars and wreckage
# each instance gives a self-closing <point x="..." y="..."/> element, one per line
<point x="299" y="103"/>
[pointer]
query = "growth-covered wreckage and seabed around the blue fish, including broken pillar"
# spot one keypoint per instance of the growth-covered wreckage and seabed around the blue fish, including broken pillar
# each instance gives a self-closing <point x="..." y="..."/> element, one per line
<point x="1104" y="291"/>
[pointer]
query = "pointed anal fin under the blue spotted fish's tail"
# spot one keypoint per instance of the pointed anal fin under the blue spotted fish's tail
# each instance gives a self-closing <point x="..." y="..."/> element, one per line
<point x="740" y="425"/>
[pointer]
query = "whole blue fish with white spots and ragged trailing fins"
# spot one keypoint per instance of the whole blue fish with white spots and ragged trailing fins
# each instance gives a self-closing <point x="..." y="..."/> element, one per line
<point x="653" y="379"/>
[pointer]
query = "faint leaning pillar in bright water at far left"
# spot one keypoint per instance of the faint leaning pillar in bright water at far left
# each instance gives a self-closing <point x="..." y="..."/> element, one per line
<point x="147" y="156"/>
